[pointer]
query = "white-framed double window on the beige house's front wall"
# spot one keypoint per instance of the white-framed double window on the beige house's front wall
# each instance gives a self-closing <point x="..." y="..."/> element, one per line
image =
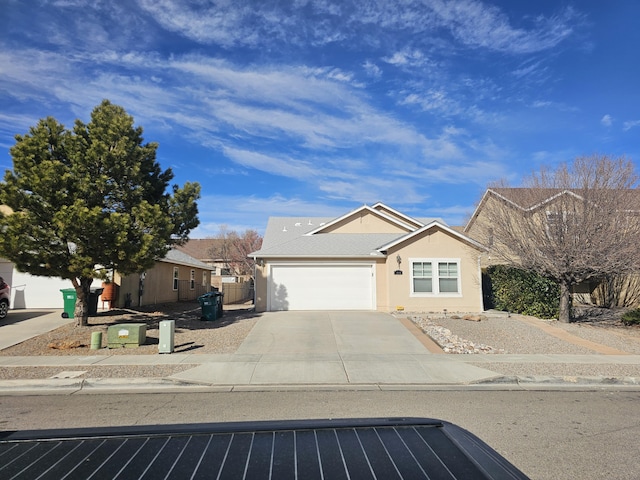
<point x="435" y="277"/>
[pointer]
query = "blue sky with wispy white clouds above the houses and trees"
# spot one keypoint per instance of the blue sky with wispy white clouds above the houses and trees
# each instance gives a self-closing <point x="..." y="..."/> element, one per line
<point x="318" y="107"/>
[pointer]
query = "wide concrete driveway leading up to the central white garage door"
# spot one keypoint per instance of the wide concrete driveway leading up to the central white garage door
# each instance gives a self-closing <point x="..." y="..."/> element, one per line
<point x="332" y="348"/>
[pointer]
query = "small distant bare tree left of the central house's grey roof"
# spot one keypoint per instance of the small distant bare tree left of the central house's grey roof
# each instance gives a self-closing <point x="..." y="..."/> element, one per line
<point x="234" y="249"/>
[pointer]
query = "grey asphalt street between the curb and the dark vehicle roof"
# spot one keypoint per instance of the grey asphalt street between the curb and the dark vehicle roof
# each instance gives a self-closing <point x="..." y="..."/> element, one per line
<point x="546" y="434"/>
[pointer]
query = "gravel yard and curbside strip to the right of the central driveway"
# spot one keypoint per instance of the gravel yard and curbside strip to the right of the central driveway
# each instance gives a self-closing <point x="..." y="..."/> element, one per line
<point x="496" y="333"/>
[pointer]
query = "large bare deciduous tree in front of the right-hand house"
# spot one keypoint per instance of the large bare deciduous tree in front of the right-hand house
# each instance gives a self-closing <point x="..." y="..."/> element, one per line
<point x="577" y="223"/>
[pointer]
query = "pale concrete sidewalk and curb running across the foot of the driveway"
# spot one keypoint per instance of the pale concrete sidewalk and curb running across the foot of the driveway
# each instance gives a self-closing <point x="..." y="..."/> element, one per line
<point x="235" y="371"/>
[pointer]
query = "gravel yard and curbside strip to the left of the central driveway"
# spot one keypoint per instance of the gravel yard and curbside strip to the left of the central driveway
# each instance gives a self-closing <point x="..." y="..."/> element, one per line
<point x="192" y="335"/>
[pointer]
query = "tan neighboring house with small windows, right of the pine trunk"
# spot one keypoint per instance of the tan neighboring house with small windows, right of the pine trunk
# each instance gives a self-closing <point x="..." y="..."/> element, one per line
<point x="177" y="277"/>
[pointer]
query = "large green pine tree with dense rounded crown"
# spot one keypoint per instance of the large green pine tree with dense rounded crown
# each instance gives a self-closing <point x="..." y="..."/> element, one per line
<point x="89" y="200"/>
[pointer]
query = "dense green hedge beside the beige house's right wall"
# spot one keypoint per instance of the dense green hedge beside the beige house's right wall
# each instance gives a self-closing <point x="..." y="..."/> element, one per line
<point x="515" y="290"/>
